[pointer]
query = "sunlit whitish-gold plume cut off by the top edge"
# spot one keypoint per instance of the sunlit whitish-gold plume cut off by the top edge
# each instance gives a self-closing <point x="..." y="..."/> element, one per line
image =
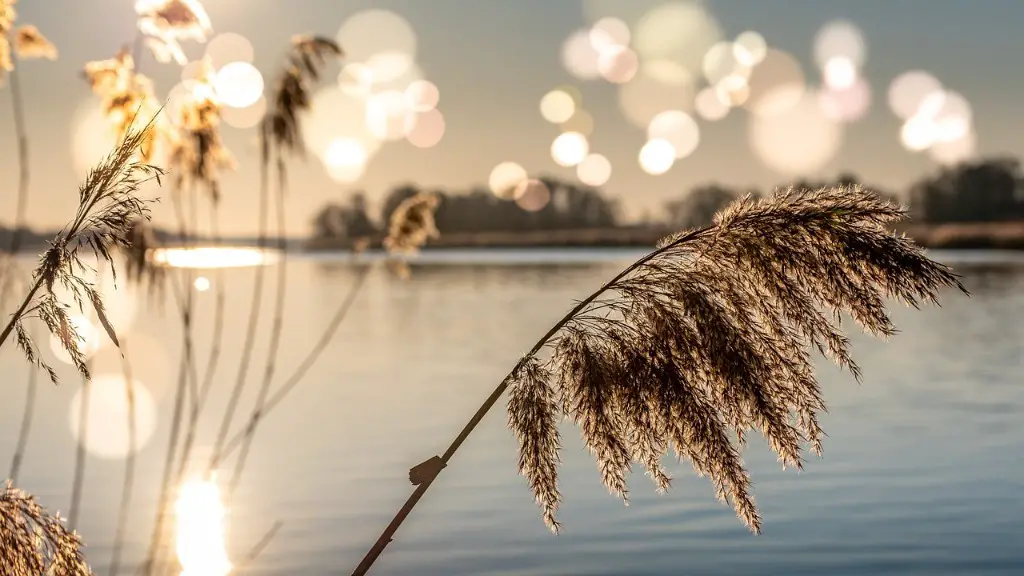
<point x="166" y="23"/>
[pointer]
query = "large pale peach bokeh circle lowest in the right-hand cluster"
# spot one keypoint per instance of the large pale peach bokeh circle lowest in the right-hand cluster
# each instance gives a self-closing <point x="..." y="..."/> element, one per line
<point x="798" y="142"/>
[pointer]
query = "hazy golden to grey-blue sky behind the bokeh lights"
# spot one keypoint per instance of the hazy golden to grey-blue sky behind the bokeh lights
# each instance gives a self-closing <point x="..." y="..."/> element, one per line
<point x="494" y="60"/>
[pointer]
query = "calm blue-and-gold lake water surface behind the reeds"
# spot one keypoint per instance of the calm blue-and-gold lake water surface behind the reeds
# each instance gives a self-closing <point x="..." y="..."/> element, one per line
<point x="923" y="473"/>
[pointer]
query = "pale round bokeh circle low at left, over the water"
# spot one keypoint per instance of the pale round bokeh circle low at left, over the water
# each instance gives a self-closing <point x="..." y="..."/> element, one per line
<point x="107" y="414"/>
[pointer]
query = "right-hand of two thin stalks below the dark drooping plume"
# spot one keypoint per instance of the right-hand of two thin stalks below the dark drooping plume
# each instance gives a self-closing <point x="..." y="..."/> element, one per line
<point x="277" y="326"/>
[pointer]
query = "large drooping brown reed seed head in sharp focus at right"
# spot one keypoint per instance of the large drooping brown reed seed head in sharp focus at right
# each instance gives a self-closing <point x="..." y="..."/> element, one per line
<point x="708" y="339"/>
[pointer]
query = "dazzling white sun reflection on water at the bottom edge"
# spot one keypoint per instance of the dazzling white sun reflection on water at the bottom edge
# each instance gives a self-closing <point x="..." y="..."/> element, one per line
<point x="201" y="530"/>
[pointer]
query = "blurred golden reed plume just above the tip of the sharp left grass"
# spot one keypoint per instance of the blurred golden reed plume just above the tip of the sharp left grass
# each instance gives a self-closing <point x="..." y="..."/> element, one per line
<point x="125" y="95"/>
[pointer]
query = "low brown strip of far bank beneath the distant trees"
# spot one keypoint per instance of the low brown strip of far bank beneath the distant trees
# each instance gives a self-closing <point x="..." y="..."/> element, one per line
<point x="994" y="236"/>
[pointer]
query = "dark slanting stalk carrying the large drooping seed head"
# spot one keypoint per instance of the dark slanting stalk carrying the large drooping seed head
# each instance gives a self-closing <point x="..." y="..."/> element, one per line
<point x="386" y="538"/>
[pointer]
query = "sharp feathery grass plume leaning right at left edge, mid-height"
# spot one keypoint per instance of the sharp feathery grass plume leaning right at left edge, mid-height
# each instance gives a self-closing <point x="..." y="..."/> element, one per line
<point x="109" y="203"/>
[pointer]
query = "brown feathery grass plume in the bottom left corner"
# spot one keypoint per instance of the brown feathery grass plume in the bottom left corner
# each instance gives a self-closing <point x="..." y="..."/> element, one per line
<point x="34" y="543"/>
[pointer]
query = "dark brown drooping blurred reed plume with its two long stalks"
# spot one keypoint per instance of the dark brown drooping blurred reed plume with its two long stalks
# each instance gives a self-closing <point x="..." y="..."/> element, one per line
<point x="281" y="136"/>
